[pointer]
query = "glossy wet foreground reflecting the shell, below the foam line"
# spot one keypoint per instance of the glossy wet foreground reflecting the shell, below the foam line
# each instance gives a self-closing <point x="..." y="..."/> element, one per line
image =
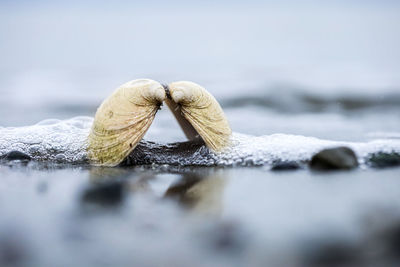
<point x="157" y="215"/>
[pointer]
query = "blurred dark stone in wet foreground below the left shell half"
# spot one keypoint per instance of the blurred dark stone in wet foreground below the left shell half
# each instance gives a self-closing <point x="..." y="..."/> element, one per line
<point x="104" y="194"/>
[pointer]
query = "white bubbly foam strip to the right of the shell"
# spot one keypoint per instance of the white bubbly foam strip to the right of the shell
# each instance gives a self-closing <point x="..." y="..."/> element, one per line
<point x="266" y="149"/>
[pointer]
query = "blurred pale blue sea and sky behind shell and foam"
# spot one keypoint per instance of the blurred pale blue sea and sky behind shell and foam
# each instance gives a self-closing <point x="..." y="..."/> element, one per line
<point x="329" y="70"/>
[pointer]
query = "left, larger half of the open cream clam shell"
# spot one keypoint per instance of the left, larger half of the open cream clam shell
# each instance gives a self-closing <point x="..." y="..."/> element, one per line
<point x="122" y="120"/>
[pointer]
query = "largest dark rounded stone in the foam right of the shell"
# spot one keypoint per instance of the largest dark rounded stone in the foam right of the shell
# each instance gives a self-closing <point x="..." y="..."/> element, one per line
<point x="338" y="158"/>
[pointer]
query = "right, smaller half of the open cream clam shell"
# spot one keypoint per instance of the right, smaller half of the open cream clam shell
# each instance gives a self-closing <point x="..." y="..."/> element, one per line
<point x="198" y="114"/>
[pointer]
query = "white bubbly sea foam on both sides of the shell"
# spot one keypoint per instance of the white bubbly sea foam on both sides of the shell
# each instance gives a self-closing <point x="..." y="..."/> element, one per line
<point x="65" y="141"/>
